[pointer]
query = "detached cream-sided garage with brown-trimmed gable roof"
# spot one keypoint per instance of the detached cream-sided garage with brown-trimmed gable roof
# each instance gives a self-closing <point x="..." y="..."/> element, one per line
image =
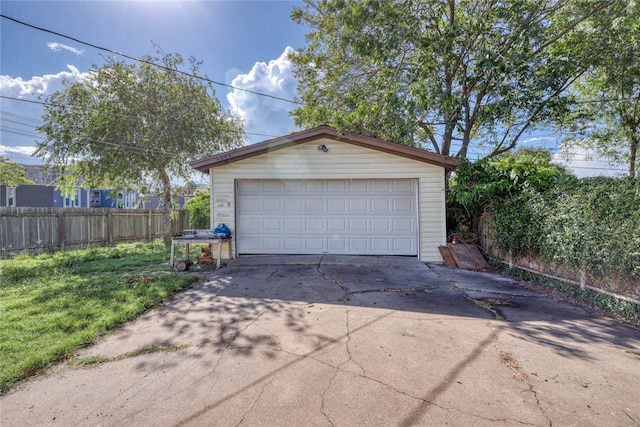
<point x="317" y="192"/>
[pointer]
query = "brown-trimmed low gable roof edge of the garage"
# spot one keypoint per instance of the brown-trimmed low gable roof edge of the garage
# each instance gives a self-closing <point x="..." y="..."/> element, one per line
<point x="320" y="132"/>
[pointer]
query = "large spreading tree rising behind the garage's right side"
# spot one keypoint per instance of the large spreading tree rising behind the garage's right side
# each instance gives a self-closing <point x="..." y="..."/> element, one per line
<point x="443" y="74"/>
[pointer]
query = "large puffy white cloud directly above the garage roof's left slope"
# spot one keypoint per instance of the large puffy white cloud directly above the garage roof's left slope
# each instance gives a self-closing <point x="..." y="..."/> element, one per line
<point x="265" y="115"/>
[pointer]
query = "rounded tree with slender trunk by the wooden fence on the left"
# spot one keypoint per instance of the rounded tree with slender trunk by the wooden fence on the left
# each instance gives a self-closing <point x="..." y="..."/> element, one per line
<point x="136" y="125"/>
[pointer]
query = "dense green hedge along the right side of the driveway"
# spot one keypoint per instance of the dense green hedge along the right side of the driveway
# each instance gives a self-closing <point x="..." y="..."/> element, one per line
<point x="592" y="224"/>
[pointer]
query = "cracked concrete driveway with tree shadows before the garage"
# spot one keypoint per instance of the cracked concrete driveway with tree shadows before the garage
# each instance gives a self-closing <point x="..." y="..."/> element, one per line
<point x="348" y="341"/>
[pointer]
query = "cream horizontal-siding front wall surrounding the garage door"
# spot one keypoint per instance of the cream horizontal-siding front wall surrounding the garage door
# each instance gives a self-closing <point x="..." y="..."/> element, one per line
<point x="341" y="161"/>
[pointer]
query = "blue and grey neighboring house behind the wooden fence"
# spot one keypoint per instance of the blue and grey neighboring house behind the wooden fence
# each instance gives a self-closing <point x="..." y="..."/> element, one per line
<point x="42" y="196"/>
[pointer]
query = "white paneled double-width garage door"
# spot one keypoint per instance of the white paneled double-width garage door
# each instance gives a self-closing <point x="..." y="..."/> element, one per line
<point x="355" y="217"/>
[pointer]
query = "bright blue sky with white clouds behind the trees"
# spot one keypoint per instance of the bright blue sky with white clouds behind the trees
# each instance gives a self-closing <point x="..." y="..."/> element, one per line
<point x="241" y="43"/>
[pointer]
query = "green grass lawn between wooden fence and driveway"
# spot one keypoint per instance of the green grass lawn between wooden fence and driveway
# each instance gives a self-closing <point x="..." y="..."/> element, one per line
<point x="53" y="304"/>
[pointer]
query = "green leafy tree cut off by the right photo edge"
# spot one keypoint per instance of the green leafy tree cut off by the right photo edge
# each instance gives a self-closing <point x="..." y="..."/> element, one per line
<point x="606" y="118"/>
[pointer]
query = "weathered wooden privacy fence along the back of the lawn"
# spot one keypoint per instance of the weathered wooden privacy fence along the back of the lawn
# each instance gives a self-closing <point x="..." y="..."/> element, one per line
<point x="47" y="229"/>
